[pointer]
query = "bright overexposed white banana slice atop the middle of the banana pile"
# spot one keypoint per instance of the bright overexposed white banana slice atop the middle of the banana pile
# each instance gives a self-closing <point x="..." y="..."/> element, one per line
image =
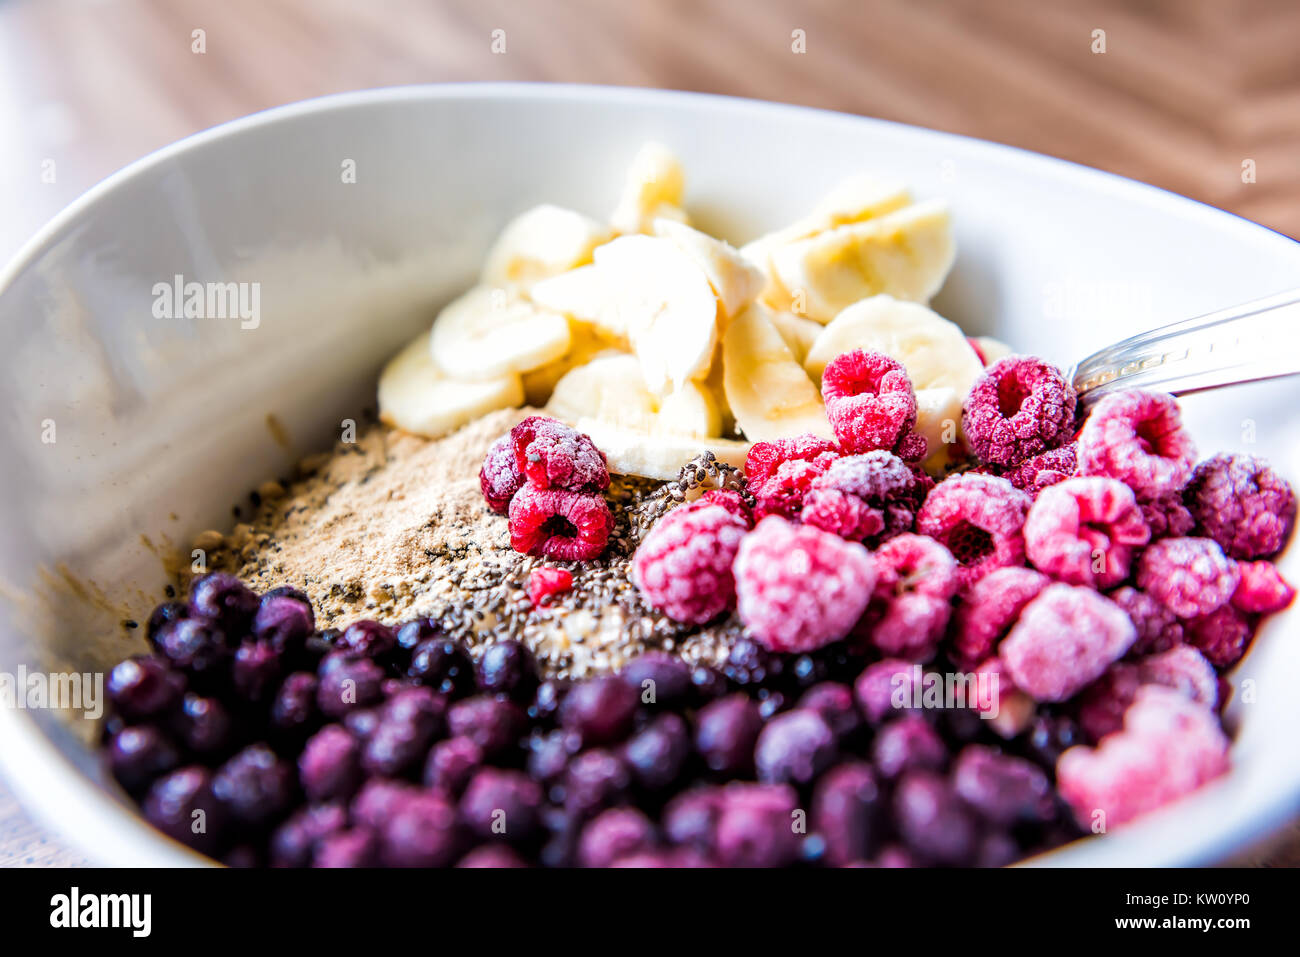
<point x="668" y="306"/>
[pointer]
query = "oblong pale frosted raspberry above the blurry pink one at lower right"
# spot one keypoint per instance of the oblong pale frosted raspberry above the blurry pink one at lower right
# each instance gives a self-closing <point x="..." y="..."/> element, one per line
<point x="1064" y="640"/>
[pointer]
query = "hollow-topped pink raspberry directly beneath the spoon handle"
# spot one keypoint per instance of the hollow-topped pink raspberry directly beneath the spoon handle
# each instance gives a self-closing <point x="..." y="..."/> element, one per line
<point x="1138" y="438"/>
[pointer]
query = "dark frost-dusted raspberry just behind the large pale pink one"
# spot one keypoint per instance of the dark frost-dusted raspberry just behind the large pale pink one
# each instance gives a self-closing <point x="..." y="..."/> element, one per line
<point x="866" y="499"/>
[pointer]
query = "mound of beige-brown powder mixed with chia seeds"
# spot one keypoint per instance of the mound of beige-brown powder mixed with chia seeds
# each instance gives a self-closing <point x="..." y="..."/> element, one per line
<point x="396" y="527"/>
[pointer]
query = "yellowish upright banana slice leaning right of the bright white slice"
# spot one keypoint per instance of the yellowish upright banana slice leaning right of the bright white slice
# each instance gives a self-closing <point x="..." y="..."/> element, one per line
<point x="769" y="392"/>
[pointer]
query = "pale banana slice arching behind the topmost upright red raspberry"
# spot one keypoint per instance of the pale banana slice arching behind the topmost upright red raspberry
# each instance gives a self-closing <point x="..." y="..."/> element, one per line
<point x="934" y="350"/>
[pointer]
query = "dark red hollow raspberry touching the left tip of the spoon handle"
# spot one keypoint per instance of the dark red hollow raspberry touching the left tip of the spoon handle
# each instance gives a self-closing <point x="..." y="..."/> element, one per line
<point x="1020" y="408"/>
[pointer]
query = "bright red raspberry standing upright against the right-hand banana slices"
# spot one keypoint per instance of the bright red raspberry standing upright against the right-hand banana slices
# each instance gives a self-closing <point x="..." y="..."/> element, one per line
<point x="869" y="400"/>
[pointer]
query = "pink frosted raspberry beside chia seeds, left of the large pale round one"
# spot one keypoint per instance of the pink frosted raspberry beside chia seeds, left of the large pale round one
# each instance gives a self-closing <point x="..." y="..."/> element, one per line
<point x="684" y="566"/>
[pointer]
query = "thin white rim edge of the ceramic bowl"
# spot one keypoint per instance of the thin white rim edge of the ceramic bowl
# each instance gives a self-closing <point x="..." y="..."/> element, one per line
<point x="51" y="787"/>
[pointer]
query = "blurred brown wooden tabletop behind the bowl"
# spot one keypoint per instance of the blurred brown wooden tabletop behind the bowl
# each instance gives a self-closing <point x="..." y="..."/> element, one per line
<point x="1199" y="97"/>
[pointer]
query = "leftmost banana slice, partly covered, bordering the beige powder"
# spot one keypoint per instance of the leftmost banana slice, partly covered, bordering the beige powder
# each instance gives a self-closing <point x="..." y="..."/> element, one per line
<point x="417" y="397"/>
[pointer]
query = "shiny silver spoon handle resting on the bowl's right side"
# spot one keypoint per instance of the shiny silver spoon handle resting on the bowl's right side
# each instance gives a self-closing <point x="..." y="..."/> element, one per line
<point x="1243" y="344"/>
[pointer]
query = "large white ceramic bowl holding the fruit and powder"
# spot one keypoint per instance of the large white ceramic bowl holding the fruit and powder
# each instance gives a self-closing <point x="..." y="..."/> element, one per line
<point x="162" y="423"/>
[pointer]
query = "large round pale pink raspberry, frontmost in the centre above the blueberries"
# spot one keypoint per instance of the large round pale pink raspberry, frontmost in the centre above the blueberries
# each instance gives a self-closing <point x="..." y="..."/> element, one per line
<point x="800" y="588"/>
